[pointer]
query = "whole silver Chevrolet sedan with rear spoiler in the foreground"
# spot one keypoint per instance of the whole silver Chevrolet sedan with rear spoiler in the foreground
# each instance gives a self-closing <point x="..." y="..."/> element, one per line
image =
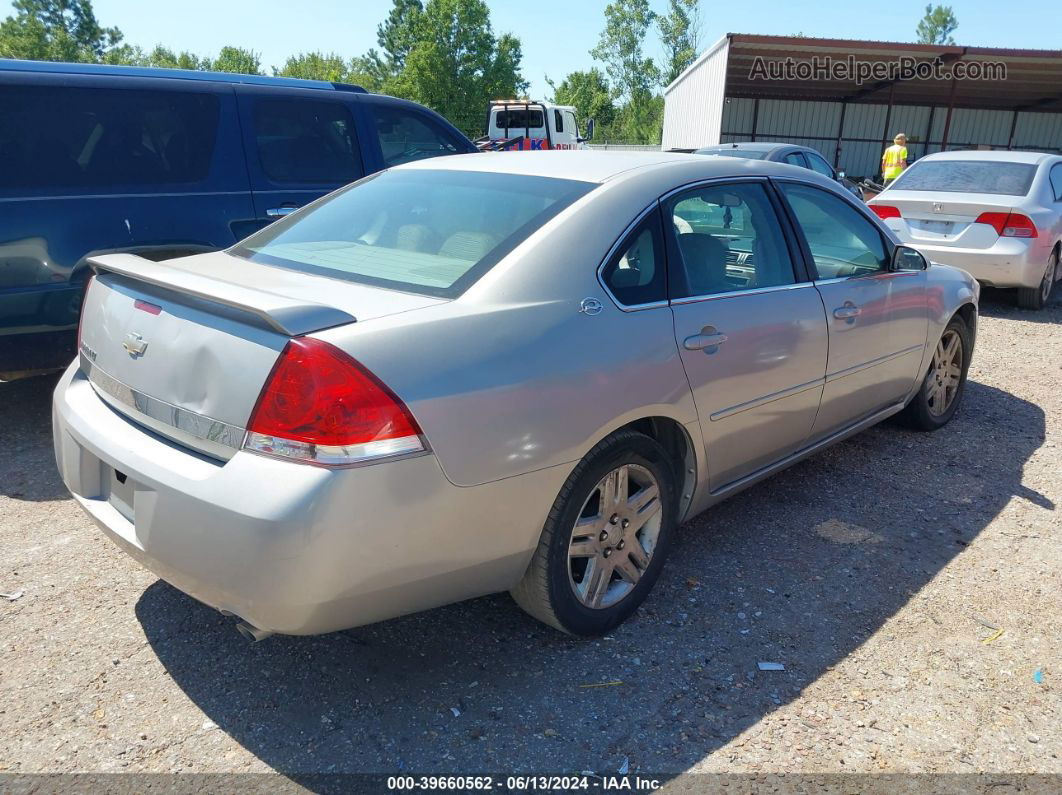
<point x="498" y="373"/>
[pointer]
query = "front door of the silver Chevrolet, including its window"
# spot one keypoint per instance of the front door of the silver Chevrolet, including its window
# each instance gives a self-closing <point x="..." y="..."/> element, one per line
<point x="878" y="319"/>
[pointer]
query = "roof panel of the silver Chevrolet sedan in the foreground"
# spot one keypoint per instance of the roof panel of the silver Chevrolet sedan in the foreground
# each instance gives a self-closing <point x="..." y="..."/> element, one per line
<point x="599" y="167"/>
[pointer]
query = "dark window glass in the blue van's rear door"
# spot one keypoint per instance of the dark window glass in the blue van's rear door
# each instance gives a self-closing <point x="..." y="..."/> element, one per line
<point x="307" y="143"/>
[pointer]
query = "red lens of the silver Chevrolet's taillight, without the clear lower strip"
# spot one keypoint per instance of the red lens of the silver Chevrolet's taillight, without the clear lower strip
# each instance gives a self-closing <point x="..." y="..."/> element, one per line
<point x="317" y="394"/>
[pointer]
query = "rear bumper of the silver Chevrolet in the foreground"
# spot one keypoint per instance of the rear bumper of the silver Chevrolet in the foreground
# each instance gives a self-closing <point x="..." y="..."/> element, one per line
<point x="288" y="547"/>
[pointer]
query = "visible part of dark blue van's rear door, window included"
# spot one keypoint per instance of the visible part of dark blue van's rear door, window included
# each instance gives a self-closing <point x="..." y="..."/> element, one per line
<point x="300" y="144"/>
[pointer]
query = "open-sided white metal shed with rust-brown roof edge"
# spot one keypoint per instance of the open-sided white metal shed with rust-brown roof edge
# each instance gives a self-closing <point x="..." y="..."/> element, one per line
<point x="820" y="94"/>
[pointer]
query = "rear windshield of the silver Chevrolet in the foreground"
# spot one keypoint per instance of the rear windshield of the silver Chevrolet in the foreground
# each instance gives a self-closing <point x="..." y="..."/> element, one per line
<point x="426" y="232"/>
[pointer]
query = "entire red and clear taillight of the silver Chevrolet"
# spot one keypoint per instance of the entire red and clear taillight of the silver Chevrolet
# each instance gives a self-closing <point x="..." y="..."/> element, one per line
<point x="320" y="406"/>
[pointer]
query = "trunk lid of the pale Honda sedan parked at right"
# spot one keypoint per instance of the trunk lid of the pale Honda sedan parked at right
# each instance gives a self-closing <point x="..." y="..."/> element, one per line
<point x="945" y="219"/>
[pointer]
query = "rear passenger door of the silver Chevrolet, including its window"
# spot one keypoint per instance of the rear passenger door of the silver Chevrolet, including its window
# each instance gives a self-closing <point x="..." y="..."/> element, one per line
<point x="749" y="324"/>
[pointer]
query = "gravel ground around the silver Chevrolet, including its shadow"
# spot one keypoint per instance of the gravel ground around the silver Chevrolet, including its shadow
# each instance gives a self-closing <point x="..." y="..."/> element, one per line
<point x="910" y="583"/>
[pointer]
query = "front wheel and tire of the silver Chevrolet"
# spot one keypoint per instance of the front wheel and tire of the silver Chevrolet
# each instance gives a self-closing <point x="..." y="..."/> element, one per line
<point x="945" y="385"/>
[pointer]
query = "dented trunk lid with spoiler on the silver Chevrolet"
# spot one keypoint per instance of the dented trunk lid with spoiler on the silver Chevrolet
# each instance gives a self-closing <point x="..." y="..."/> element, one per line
<point x="184" y="348"/>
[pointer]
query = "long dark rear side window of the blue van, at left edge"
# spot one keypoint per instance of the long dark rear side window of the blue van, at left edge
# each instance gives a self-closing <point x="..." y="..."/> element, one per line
<point x="97" y="139"/>
